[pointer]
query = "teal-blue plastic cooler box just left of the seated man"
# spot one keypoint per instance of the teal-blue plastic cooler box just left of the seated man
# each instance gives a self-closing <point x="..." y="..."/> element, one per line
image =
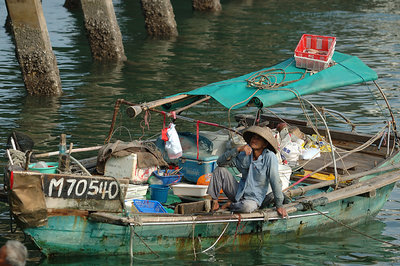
<point x="192" y="168"/>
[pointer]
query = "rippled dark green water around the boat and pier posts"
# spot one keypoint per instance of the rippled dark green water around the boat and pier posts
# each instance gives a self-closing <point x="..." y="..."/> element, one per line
<point x="245" y="36"/>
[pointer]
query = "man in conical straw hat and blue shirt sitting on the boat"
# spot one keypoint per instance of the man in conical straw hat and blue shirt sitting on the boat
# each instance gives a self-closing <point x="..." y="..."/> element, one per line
<point x="259" y="167"/>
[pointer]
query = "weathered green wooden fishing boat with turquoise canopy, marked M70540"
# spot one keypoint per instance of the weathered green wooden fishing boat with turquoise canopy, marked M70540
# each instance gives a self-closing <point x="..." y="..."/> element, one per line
<point x="344" y="182"/>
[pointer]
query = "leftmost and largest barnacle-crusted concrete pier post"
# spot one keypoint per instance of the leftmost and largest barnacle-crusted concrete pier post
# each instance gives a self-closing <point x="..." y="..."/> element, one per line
<point x="33" y="48"/>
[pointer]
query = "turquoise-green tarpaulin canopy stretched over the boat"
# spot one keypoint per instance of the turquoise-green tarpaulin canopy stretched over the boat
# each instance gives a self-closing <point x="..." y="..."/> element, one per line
<point x="235" y="93"/>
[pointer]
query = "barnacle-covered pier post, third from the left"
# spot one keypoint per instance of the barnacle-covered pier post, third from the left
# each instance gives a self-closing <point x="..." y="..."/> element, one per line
<point x="159" y="18"/>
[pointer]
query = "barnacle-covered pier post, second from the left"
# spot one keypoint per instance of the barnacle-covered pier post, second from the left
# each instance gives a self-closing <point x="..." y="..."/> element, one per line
<point x="102" y="29"/>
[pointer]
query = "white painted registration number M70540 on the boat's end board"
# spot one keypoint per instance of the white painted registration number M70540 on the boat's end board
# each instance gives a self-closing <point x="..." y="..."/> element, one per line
<point x="81" y="188"/>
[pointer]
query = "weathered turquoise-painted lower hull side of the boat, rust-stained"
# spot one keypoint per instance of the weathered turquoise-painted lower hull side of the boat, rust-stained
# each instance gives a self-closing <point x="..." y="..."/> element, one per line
<point x="69" y="235"/>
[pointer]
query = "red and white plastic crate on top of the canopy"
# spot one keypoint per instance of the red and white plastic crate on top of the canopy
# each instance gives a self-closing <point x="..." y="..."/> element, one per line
<point x="314" y="52"/>
